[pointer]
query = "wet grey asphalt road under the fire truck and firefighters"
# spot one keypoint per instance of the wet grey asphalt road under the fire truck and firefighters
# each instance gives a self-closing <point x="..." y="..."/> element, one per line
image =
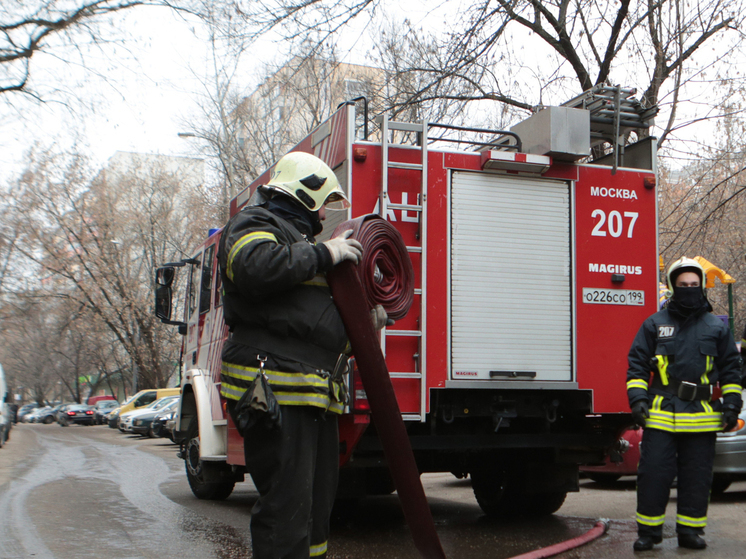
<point x="91" y="492"/>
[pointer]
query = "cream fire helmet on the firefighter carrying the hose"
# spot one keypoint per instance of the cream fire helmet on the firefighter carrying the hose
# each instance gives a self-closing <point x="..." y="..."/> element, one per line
<point x="309" y="180"/>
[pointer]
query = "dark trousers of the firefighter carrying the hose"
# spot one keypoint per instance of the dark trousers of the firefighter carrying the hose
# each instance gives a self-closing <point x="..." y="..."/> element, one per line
<point x="295" y="470"/>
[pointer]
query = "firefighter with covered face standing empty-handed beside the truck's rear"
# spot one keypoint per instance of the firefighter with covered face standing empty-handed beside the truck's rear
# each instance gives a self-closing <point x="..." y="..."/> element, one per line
<point x="689" y="350"/>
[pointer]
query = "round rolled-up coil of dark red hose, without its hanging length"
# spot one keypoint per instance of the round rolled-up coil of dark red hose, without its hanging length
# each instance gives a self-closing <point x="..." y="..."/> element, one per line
<point x="385" y="271"/>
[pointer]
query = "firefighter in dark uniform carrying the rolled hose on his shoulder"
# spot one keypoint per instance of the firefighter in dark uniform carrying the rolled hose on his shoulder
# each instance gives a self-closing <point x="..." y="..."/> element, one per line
<point x="283" y="322"/>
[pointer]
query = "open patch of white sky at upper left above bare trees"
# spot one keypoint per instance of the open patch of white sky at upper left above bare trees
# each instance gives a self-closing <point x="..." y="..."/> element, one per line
<point x="134" y="104"/>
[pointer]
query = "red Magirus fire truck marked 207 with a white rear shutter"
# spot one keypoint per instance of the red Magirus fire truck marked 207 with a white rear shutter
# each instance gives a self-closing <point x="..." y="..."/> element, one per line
<point x="533" y="272"/>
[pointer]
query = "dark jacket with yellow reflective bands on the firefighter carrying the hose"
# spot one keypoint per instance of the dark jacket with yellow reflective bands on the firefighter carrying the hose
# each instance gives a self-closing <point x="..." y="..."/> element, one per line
<point x="277" y="305"/>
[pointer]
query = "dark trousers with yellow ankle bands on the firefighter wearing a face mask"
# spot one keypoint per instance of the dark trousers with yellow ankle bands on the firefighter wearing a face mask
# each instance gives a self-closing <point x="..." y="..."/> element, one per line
<point x="664" y="456"/>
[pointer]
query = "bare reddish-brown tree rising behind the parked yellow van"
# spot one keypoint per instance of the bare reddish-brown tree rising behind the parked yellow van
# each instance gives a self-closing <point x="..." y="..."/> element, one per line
<point x="95" y="241"/>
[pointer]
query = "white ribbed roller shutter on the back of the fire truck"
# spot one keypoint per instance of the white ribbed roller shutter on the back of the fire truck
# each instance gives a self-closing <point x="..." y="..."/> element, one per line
<point x="511" y="307"/>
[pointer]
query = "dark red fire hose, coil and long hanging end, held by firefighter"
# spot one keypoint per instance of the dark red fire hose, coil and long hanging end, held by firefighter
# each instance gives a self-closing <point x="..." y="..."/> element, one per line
<point x="385" y="277"/>
